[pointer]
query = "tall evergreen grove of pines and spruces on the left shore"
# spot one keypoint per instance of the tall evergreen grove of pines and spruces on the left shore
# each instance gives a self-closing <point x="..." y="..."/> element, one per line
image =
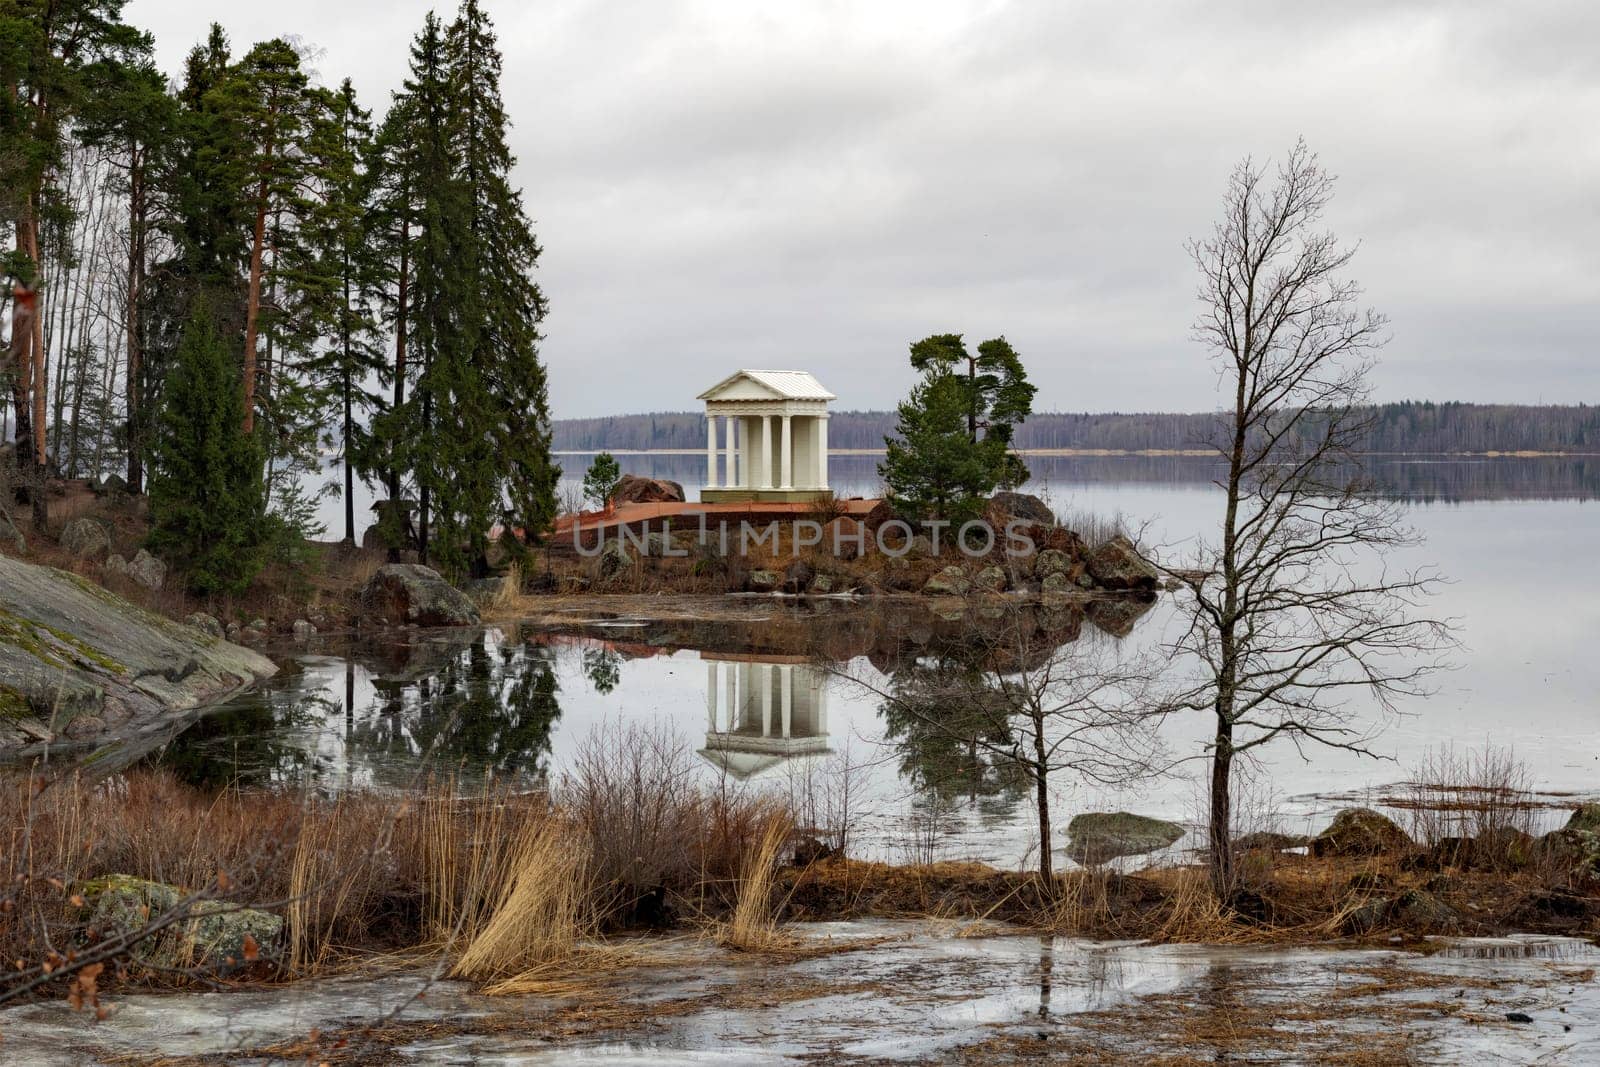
<point x="370" y="286"/>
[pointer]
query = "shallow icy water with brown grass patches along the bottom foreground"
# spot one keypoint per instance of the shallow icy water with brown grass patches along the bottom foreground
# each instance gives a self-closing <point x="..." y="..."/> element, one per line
<point x="922" y="996"/>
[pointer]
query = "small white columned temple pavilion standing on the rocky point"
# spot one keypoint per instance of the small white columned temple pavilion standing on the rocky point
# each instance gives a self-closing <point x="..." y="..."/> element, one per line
<point x="774" y="441"/>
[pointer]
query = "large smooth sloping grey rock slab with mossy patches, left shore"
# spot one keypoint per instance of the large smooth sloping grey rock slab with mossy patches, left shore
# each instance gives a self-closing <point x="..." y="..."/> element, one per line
<point x="79" y="663"/>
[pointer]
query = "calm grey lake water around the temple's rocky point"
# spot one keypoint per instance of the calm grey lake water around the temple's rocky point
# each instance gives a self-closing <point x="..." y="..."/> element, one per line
<point x="1516" y="538"/>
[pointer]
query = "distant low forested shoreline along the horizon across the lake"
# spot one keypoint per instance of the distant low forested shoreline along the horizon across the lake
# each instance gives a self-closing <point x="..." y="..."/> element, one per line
<point x="1398" y="428"/>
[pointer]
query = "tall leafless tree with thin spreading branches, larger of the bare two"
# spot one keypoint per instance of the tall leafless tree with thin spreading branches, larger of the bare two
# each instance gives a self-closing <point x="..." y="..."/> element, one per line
<point x="1295" y="612"/>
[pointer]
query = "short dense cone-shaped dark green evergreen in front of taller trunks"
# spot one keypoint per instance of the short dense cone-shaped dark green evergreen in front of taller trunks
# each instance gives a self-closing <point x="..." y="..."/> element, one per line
<point x="206" y="482"/>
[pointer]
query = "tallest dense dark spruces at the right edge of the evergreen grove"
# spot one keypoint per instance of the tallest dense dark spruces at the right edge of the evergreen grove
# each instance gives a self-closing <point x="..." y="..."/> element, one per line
<point x="476" y="428"/>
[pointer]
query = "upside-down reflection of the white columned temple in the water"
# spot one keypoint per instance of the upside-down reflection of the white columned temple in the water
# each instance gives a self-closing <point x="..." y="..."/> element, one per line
<point x="762" y="713"/>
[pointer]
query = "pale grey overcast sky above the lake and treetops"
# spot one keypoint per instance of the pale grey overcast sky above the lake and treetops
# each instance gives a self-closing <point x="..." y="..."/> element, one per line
<point x="817" y="185"/>
